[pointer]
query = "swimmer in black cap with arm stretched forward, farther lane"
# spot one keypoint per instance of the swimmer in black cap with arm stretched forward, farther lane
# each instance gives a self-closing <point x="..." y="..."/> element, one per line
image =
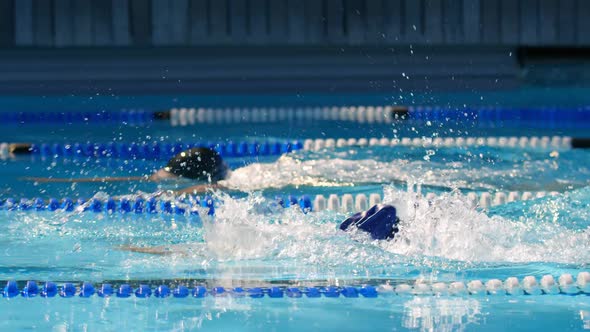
<point x="202" y="165"/>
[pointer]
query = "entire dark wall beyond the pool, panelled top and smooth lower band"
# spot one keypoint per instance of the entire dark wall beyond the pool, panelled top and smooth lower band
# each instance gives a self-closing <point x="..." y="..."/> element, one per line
<point x="208" y="46"/>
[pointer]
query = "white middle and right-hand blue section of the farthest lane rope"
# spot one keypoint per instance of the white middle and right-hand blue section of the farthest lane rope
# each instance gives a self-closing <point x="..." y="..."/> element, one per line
<point x="541" y="117"/>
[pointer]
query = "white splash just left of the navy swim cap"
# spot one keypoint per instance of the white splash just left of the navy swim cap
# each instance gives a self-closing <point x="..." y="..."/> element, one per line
<point x="241" y="230"/>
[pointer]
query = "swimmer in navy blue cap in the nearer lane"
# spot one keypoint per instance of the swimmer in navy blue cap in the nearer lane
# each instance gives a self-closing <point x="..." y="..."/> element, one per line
<point x="380" y="222"/>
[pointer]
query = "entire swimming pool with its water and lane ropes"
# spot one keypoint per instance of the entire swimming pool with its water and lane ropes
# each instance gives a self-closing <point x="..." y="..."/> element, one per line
<point x="427" y="279"/>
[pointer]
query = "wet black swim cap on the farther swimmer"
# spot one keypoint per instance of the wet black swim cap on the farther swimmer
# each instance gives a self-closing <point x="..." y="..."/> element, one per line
<point x="198" y="164"/>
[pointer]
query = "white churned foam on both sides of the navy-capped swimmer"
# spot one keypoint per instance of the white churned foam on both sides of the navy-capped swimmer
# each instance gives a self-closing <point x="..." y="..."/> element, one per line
<point x="446" y="228"/>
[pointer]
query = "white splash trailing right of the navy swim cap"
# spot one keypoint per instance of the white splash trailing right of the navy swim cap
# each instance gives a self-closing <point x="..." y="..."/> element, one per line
<point x="446" y="227"/>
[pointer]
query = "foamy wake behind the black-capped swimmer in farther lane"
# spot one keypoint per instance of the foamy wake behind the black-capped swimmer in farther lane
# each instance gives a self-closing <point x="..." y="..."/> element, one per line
<point x="476" y="168"/>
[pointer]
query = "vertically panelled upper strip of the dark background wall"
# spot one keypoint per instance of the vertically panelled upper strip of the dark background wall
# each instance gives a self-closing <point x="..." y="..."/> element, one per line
<point x="99" y="23"/>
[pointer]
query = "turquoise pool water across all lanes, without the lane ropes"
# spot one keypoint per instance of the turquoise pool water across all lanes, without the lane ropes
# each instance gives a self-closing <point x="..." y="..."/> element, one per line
<point x="249" y="244"/>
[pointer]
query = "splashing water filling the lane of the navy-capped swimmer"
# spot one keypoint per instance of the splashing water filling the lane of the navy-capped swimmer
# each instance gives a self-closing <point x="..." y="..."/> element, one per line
<point x="252" y="237"/>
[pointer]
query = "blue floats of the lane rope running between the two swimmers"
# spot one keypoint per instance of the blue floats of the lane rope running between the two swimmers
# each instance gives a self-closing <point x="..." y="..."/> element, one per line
<point x="181" y="206"/>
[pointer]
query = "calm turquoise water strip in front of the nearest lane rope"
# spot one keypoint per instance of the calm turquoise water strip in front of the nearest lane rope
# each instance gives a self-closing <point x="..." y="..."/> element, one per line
<point x="418" y="313"/>
